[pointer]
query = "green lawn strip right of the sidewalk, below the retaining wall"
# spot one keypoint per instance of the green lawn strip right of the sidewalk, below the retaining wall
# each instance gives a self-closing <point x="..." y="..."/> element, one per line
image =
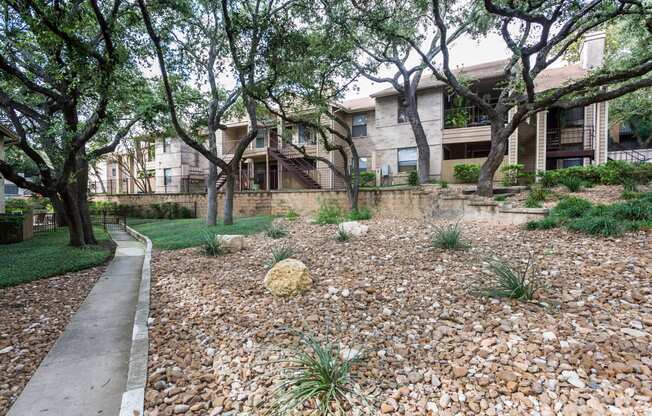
<point x="176" y="234"/>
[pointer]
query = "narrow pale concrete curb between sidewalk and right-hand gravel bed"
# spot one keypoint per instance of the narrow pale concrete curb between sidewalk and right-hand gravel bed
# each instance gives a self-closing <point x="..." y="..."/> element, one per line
<point x="133" y="399"/>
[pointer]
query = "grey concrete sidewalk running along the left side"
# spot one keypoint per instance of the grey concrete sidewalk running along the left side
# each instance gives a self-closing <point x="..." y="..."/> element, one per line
<point x="85" y="373"/>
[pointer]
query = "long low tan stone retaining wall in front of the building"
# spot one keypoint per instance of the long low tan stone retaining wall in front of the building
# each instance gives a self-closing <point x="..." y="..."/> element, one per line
<point x="422" y="202"/>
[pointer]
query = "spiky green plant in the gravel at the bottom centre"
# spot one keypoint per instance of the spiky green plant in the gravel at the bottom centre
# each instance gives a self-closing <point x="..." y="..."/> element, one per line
<point x="319" y="376"/>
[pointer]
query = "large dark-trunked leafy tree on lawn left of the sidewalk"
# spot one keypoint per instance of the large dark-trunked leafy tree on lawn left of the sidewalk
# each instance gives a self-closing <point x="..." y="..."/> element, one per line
<point x="61" y="67"/>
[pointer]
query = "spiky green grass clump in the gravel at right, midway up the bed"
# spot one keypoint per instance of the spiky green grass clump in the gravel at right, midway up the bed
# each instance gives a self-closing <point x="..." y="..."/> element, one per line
<point x="506" y="282"/>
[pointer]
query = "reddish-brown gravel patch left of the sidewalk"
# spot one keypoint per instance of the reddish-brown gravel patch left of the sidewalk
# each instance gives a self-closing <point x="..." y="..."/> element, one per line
<point x="33" y="316"/>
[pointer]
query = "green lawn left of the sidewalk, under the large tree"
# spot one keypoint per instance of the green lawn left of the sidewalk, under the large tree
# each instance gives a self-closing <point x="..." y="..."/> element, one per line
<point x="48" y="254"/>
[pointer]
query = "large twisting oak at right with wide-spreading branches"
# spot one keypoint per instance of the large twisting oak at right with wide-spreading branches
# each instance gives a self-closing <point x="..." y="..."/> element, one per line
<point x="538" y="34"/>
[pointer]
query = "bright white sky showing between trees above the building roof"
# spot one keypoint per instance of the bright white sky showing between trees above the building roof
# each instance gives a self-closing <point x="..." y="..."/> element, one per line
<point x="464" y="52"/>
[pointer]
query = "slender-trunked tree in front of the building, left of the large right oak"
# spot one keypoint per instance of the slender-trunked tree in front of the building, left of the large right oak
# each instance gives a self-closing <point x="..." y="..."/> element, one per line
<point x="383" y="34"/>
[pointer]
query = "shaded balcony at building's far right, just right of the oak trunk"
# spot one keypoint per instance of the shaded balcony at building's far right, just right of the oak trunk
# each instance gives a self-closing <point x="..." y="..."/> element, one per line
<point x="570" y="142"/>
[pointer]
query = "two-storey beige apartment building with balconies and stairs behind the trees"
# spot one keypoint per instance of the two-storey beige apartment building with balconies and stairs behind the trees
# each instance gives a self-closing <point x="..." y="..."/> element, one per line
<point x="456" y="131"/>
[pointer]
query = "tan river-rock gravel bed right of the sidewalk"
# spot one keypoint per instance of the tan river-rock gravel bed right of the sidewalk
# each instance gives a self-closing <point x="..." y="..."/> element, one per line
<point x="582" y="348"/>
